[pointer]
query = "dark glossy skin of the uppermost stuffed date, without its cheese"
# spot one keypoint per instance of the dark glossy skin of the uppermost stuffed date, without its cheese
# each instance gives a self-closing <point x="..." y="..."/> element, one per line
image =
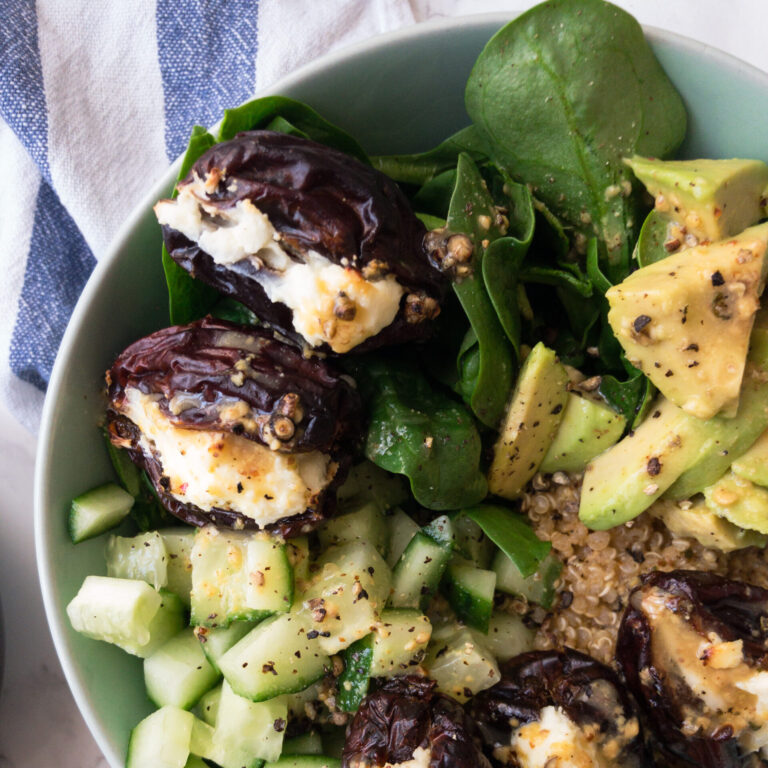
<point x="323" y="200"/>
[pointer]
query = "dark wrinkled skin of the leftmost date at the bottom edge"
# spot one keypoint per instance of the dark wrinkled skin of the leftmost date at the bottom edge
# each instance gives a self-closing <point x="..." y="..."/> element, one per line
<point x="406" y="713"/>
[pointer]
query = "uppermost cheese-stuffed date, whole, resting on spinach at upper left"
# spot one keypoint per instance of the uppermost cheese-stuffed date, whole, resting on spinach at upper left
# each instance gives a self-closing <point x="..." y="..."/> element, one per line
<point x="319" y="245"/>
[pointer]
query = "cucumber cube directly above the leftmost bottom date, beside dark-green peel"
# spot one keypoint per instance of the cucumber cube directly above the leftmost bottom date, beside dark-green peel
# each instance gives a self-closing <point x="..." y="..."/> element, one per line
<point x="399" y="642"/>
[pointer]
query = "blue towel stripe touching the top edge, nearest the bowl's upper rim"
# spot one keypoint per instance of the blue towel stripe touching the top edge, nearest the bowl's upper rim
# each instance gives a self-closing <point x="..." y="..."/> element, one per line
<point x="207" y="55"/>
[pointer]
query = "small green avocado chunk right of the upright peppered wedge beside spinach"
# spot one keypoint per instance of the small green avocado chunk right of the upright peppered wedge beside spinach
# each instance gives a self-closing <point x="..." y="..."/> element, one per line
<point x="588" y="428"/>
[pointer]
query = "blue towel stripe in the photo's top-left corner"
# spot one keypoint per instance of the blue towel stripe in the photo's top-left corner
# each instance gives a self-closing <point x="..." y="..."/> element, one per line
<point x="22" y="97"/>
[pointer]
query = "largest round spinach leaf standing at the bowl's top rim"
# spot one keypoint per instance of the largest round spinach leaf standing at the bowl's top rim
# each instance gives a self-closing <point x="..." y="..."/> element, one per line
<point x="561" y="94"/>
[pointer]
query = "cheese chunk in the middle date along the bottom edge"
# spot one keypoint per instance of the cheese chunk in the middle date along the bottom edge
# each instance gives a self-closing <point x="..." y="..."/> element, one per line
<point x="555" y="741"/>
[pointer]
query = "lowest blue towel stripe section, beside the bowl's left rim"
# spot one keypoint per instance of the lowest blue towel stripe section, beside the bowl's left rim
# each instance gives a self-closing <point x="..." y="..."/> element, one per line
<point x="58" y="265"/>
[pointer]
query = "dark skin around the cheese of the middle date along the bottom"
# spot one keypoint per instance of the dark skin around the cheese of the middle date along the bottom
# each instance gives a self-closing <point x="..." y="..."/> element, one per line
<point x="590" y="694"/>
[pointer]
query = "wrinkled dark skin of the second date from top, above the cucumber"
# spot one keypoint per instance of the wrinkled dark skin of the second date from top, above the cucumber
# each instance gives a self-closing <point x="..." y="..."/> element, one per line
<point x="284" y="401"/>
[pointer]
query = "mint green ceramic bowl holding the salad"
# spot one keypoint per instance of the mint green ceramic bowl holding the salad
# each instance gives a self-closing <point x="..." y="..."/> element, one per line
<point x="398" y="92"/>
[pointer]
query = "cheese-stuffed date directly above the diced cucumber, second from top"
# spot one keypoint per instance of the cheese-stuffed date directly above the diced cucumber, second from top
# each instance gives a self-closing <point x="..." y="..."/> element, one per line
<point x="234" y="427"/>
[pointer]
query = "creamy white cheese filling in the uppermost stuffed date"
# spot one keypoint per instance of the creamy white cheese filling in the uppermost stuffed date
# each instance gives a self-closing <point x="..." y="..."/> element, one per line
<point x="331" y="304"/>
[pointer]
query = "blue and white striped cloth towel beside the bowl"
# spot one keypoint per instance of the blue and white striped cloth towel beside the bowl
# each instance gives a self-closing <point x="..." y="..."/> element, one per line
<point x="96" y="99"/>
